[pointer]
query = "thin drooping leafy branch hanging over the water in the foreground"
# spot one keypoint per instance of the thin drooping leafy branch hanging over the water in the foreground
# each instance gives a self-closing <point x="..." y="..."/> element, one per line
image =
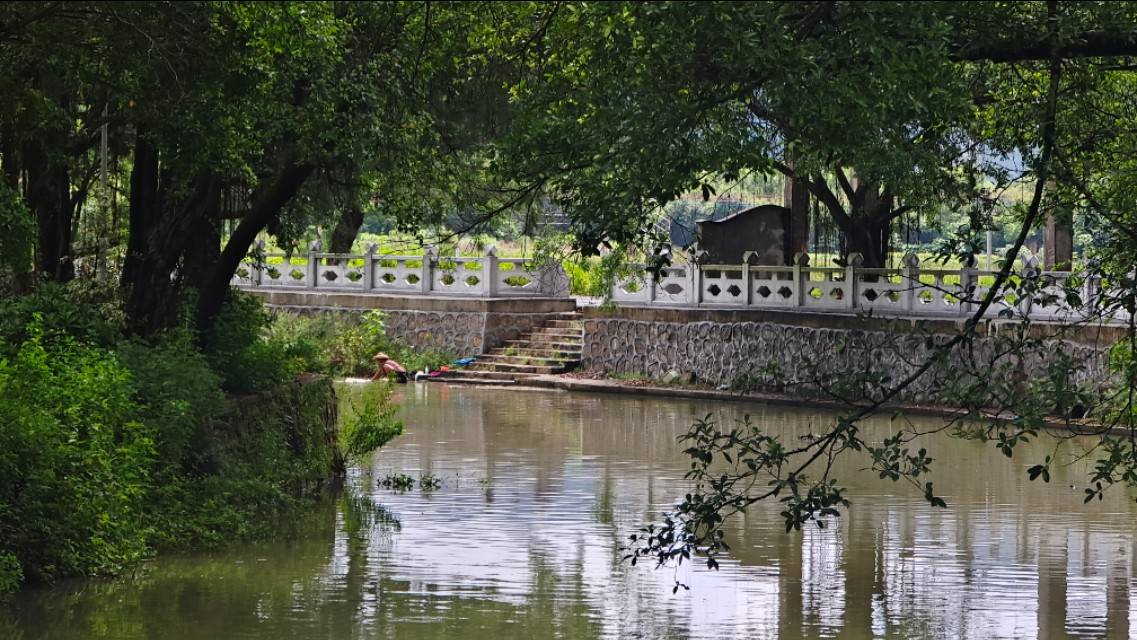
<point x="761" y="467"/>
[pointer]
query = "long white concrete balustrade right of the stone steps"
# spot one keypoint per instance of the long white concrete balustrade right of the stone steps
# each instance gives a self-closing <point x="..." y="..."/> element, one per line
<point x="909" y="290"/>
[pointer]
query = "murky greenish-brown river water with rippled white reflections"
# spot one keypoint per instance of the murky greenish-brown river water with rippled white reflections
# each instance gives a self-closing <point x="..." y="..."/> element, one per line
<point x="524" y="541"/>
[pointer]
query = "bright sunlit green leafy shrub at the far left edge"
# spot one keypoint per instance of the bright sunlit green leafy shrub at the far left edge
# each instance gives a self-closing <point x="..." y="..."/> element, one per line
<point x="74" y="459"/>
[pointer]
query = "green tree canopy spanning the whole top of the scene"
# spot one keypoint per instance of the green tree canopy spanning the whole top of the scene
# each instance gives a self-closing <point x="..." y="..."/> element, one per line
<point x="279" y="115"/>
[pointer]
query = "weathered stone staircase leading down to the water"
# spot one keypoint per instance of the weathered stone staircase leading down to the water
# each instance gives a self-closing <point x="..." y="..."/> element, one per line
<point x="555" y="347"/>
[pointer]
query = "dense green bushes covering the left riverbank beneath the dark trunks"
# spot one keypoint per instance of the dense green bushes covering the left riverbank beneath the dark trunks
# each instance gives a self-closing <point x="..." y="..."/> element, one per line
<point x="113" y="448"/>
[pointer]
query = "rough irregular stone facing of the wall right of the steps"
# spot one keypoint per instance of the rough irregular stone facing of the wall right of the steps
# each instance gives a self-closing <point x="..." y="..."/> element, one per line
<point x="721" y="352"/>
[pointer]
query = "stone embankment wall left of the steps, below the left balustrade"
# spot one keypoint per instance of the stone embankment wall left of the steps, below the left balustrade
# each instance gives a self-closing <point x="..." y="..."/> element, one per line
<point x="462" y="326"/>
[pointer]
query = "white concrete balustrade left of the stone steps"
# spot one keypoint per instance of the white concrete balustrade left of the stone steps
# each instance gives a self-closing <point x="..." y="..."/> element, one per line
<point x="429" y="275"/>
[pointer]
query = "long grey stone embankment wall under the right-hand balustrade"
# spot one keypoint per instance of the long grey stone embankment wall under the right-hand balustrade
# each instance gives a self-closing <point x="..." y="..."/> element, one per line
<point x="795" y="352"/>
